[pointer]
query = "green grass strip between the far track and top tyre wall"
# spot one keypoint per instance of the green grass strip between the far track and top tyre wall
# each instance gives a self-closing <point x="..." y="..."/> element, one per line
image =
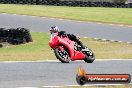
<point x="95" y="14"/>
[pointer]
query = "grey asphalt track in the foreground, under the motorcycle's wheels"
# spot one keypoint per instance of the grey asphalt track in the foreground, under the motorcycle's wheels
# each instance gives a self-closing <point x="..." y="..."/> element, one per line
<point x="38" y="74"/>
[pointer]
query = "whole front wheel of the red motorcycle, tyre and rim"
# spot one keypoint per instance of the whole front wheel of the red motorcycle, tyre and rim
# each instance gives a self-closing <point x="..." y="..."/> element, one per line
<point x="63" y="56"/>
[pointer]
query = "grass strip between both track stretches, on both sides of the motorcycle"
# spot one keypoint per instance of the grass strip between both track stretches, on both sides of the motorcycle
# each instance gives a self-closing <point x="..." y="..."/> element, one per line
<point x="40" y="50"/>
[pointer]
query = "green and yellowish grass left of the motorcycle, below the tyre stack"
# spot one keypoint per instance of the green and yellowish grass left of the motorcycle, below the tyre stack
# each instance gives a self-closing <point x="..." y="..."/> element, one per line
<point x="36" y="50"/>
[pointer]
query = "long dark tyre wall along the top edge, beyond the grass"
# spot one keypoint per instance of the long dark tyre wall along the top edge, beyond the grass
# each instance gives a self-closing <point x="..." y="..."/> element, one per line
<point x="81" y="3"/>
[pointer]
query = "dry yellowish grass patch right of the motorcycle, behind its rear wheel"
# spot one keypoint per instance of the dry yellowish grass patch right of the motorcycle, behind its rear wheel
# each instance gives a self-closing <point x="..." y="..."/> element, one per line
<point x="109" y="50"/>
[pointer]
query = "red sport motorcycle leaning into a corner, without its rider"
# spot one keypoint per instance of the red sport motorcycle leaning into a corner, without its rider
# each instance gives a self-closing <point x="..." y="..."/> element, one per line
<point x="66" y="50"/>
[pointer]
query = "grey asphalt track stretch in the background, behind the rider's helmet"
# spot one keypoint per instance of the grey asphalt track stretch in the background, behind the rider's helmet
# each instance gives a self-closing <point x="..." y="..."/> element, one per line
<point x="86" y="29"/>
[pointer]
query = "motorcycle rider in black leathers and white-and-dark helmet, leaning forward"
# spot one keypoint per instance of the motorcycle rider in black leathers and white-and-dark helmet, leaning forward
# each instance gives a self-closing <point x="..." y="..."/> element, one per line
<point x="72" y="37"/>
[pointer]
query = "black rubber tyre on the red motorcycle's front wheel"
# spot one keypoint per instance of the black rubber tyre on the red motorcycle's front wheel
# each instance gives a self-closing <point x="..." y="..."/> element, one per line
<point x="58" y="56"/>
